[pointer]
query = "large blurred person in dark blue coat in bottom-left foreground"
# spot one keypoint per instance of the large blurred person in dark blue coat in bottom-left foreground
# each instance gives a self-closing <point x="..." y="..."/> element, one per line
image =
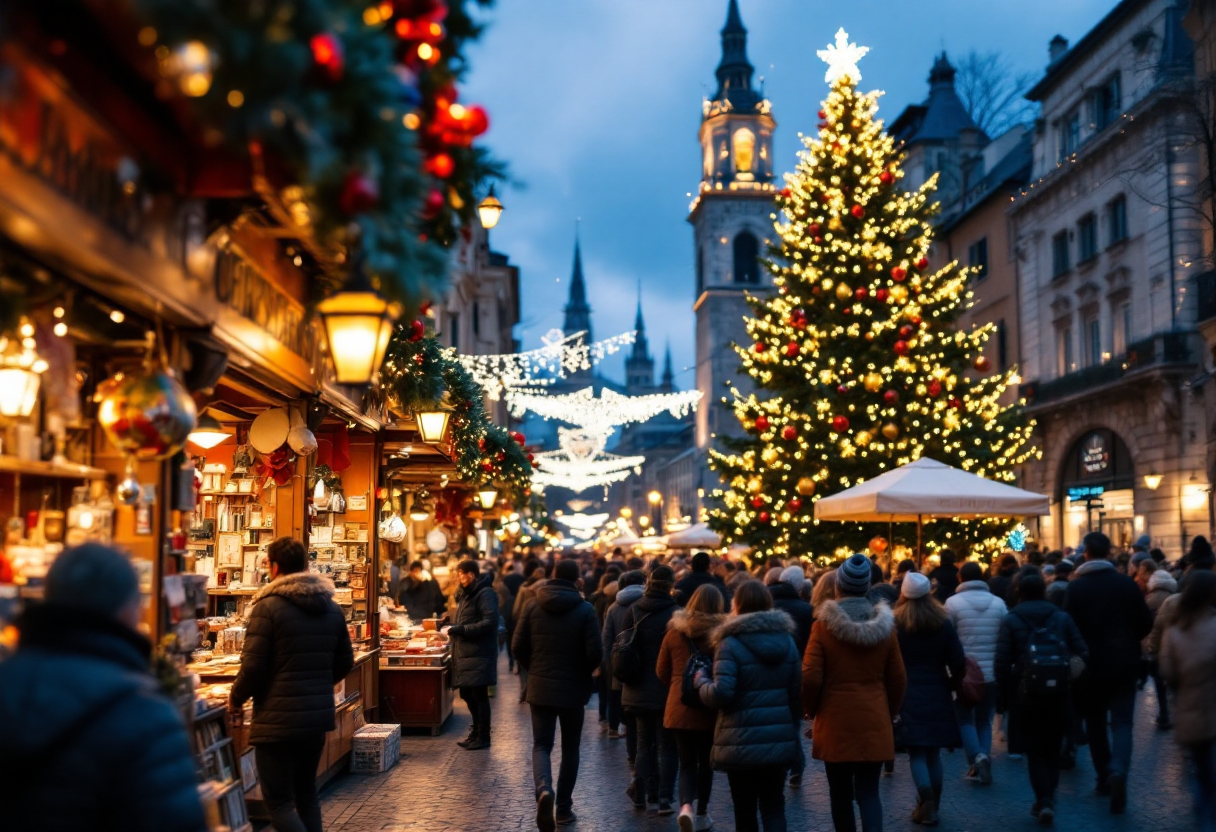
<point x="87" y="737"/>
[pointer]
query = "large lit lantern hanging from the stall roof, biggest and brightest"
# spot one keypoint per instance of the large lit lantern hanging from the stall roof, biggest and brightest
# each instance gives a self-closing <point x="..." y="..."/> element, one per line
<point x="358" y="325"/>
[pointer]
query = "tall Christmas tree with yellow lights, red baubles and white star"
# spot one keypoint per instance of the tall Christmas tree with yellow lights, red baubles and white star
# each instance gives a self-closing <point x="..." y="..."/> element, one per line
<point x="857" y="361"/>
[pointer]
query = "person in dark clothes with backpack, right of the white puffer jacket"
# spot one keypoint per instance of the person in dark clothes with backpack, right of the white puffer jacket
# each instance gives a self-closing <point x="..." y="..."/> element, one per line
<point x="1039" y="651"/>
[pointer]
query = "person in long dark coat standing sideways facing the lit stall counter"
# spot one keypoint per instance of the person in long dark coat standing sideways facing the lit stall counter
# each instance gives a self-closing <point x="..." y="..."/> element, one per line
<point x="475" y="637"/>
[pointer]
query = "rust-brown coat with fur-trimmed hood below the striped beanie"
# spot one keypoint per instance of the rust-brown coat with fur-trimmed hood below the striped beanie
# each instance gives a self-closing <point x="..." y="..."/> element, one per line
<point x="853" y="682"/>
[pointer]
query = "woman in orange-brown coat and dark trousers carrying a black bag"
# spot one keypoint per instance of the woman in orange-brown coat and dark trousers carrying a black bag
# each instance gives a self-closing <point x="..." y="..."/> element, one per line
<point x="693" y="726"/>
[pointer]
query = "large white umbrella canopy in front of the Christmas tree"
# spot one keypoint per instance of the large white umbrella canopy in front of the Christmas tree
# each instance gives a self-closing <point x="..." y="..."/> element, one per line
<point x="928" y="488"/>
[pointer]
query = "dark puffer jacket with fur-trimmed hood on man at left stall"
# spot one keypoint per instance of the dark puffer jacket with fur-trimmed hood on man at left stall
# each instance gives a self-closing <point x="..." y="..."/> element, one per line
<point x="296" y="650"/>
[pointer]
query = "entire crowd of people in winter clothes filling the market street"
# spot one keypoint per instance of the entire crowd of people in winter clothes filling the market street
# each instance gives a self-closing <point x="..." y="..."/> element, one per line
<point x="699" y="665"/>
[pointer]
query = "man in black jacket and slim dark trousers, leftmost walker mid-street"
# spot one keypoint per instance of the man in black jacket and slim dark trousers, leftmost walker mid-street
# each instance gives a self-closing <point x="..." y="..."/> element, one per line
<point x="558" y="643"/>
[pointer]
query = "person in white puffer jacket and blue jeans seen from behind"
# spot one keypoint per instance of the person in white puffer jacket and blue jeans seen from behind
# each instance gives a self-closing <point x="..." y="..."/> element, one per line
<point x="977" y="616"/>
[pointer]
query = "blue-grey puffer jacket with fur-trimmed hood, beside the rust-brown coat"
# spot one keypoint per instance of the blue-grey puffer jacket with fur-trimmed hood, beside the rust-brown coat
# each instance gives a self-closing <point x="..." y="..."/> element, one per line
<point x="757" y="689"/>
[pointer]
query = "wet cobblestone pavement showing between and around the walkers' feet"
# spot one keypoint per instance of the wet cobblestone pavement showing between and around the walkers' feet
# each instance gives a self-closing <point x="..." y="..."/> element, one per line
<point x="440" y="788"/>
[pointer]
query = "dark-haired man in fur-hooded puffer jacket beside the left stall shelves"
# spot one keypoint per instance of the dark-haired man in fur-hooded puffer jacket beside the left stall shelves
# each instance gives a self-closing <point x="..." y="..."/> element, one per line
<point x="296" y="650"/>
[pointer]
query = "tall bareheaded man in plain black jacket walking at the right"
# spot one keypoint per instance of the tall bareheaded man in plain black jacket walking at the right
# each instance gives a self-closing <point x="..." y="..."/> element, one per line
<point x="1111" y="611"/>
